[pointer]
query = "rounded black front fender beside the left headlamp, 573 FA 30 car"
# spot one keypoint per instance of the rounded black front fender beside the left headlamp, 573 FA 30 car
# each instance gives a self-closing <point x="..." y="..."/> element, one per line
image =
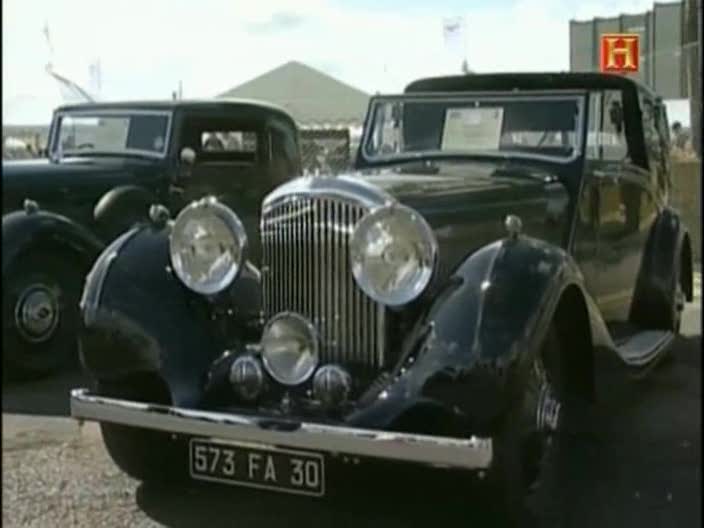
<point x="138" y="317"/>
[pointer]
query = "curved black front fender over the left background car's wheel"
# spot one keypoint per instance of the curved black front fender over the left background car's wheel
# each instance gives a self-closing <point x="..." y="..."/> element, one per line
<point x="22" y="231"/>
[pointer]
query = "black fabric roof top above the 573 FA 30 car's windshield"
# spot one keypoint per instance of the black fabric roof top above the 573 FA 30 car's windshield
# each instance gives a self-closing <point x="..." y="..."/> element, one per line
<point x="527" y="81"/>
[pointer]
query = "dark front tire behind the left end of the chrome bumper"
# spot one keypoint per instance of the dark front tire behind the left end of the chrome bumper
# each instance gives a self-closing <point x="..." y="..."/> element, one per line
<point x="144" y="454"/>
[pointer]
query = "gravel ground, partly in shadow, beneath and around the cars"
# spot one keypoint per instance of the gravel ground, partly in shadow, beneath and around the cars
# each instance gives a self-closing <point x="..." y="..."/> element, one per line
<point x="642" y="468"/>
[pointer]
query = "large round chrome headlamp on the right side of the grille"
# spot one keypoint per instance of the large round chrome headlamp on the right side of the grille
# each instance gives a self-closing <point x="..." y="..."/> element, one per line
<point x="393" y="252"/>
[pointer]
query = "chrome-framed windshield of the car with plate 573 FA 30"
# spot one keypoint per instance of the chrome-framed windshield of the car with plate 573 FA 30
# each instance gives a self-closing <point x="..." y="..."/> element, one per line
<point x="414" y="126"/>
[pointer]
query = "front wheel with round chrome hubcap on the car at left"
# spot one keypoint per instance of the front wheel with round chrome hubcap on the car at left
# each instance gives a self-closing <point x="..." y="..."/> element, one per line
<point x="41" y="293"/>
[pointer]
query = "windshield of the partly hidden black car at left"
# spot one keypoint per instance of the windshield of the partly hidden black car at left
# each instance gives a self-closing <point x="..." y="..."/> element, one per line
<point x="143" y="133"/>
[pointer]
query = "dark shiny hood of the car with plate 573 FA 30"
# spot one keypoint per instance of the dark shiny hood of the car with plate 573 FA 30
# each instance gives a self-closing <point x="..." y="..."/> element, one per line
<point x="466" y="204"/>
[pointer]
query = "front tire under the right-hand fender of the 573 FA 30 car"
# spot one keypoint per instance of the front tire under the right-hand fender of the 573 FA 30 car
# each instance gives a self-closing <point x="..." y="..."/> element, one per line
<point x="525" y="450"/>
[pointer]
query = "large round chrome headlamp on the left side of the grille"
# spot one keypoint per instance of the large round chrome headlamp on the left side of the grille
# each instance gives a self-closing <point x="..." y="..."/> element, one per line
<point x="207" y="245"/>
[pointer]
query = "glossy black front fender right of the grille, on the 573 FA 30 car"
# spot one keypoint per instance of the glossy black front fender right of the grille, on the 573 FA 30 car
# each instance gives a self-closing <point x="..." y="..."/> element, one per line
<point x="478" y="339"/>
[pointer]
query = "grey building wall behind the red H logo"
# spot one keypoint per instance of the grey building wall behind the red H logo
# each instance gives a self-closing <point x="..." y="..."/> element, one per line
<point x="660" y="30"/>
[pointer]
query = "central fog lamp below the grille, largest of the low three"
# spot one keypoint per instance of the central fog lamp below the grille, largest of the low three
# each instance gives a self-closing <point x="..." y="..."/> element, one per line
<point x="289" y="348"/>
